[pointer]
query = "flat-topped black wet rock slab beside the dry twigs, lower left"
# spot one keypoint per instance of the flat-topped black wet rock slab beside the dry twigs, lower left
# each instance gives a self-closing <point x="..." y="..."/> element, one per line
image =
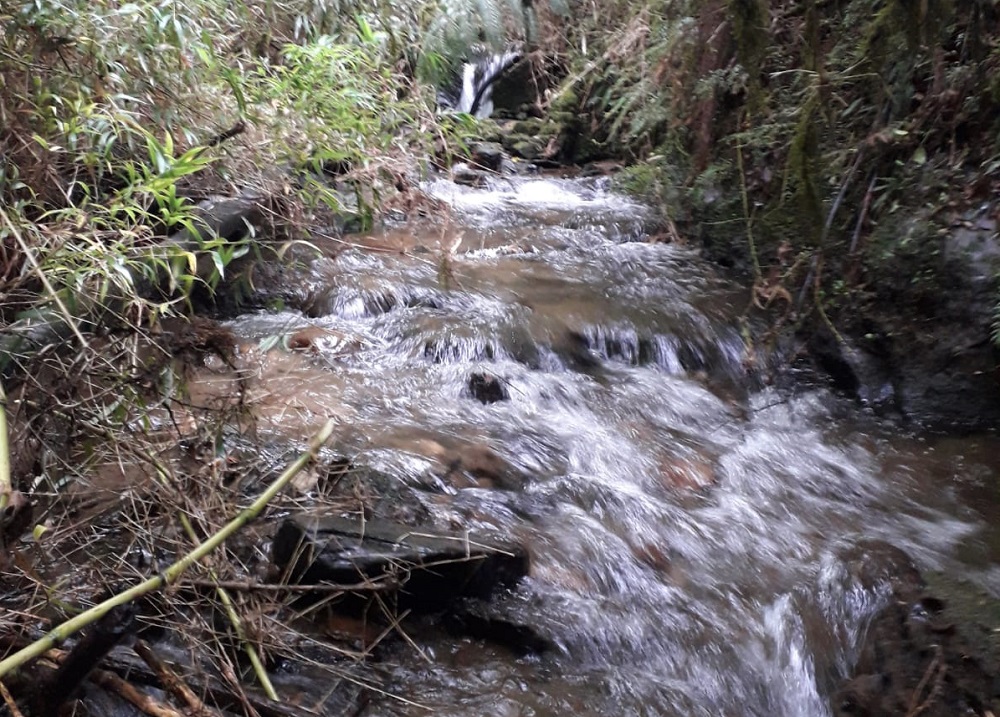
<point x="428" y="570"/>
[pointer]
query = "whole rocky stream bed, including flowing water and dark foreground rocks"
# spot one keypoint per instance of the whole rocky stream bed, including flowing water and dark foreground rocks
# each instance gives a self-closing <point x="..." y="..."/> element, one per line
<point x="561" y="483"/>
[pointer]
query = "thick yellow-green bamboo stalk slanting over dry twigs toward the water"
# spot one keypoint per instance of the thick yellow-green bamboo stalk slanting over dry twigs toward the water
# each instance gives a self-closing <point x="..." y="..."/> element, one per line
<point x="171" y="574"/>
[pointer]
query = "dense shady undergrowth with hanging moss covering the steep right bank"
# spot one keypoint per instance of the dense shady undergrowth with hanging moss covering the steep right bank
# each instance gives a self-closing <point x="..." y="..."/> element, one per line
<point x="790" y="131"/>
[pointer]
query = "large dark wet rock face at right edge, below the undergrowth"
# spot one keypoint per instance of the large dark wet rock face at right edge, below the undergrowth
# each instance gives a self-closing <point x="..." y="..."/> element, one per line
<point x="920" y="344"/>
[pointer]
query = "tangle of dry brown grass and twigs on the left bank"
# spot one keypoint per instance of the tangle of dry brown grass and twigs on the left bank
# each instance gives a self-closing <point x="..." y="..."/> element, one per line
<point x="111" y="494"/>
